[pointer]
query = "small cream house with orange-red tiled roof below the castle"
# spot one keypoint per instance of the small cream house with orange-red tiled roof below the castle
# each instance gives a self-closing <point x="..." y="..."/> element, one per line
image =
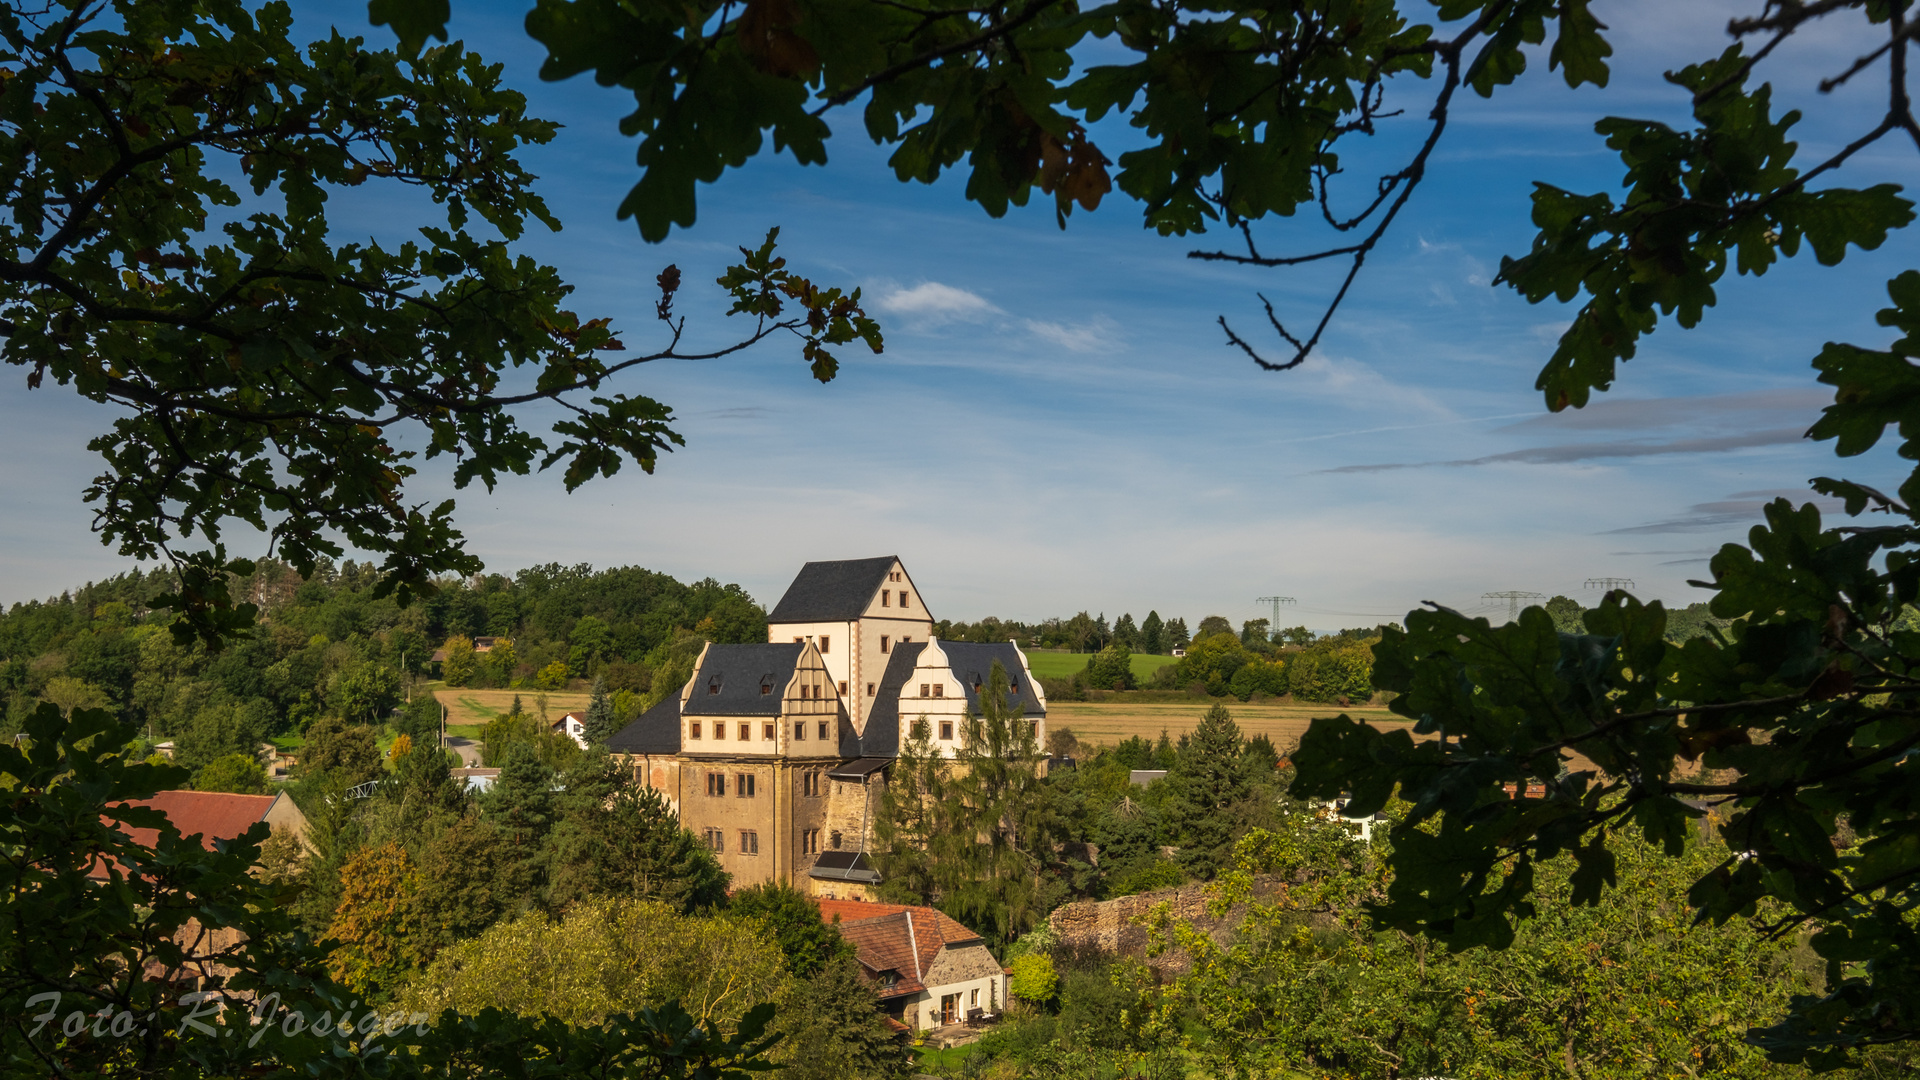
<point x="928" y="970"/>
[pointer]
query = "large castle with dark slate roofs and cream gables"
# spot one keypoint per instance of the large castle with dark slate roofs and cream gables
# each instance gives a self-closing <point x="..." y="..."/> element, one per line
<point x="777" y="754"/>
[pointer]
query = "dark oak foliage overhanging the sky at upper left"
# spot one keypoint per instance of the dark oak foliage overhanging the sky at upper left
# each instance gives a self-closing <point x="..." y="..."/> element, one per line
<point x="258" y="368"/>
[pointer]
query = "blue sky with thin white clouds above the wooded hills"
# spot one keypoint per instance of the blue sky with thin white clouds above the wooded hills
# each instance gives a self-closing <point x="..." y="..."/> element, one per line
<point x="1059" y="424"/>
